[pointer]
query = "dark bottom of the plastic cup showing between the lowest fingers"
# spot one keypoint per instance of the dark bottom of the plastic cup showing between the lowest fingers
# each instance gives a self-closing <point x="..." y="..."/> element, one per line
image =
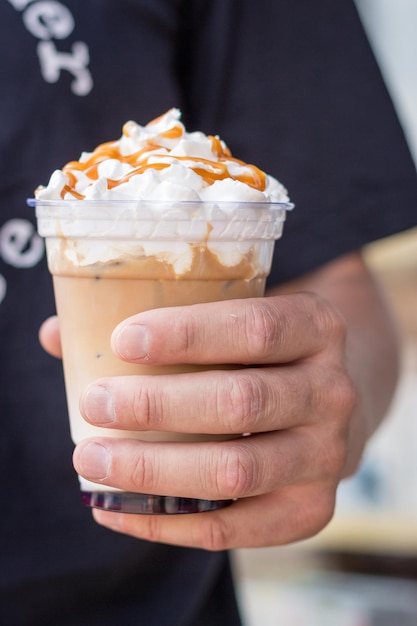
<point x="148" y="504"/>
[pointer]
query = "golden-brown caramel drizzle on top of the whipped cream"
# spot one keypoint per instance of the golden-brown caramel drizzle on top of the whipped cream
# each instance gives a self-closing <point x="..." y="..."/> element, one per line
<point x="210" y="171"/>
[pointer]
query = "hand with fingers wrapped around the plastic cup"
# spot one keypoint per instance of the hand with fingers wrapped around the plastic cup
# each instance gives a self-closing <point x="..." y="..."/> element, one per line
<point x="295" y="398"/>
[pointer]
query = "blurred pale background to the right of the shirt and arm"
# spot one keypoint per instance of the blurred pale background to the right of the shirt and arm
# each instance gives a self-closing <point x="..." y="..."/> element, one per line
<point x="362" y="569"/>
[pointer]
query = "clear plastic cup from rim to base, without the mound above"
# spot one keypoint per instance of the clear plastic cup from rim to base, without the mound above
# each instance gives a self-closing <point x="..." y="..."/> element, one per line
<point x="110" y="260"/>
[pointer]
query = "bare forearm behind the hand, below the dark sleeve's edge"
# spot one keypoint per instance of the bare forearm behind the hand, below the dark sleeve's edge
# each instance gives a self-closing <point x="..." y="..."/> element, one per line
<point x="371" y="343"/>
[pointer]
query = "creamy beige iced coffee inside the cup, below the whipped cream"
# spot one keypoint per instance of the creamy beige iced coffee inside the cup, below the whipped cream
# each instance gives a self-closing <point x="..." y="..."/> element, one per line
<point x="114" y="292"/>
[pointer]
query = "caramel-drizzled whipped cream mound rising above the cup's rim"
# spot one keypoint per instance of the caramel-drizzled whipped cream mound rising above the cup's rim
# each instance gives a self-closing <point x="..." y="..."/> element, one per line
<point x="162" y="161"/>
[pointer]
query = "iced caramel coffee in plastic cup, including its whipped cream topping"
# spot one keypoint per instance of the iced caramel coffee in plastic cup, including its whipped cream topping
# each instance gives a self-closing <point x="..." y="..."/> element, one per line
<point x="114" y="256"/>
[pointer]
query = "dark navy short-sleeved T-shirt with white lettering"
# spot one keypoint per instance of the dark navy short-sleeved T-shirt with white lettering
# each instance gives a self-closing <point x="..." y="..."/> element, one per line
<point x="290" y="86"/>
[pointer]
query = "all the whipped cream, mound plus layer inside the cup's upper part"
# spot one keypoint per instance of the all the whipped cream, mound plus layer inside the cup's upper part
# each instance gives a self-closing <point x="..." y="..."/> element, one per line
<point x="159" y="191"/>
